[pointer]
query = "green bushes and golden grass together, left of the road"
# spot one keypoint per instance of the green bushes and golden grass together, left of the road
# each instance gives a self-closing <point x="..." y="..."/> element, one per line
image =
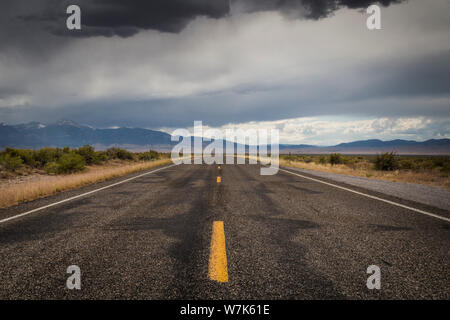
<point x="29" y="174"/>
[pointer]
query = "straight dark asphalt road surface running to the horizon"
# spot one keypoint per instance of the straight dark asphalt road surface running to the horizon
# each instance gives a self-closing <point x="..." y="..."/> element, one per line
<point x="286" y="238"/>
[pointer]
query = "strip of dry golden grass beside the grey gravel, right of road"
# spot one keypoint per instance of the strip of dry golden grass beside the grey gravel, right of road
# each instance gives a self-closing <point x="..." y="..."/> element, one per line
<point x="428" y="177"/>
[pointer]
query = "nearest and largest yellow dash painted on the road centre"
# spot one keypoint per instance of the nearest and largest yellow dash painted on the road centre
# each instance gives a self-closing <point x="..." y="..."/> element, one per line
<point x="218" y="270"/>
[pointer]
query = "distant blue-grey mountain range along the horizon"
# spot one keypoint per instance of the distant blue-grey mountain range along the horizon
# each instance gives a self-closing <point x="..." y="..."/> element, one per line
<point x="36" y="135"/>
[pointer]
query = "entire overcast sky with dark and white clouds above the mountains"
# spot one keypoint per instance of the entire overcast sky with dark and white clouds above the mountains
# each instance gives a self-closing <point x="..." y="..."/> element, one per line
<point x="309" y="68"/>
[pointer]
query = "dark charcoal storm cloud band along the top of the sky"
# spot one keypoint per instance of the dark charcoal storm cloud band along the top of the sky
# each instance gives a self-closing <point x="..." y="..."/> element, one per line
<point x="126" y="18"/>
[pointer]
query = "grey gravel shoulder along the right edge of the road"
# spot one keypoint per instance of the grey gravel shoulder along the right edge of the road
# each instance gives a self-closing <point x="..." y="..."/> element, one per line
<point x="429" y="195"/>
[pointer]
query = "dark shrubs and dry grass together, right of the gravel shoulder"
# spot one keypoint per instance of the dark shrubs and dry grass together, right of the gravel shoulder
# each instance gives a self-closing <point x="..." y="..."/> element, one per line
<point x="430" y="170"/>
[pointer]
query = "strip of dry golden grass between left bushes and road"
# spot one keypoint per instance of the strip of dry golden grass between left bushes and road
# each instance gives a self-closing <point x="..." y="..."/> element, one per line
<point x="15" y="192"/>
